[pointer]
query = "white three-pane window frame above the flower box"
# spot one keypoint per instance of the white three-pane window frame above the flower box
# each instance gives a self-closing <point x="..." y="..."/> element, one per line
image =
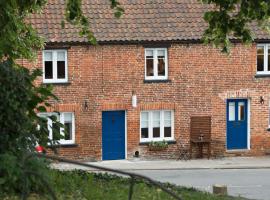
<point x="150" y="126"/>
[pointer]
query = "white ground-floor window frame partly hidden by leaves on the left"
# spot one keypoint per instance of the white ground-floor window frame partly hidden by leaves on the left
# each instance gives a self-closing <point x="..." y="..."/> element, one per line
<point x="61" y="120"/>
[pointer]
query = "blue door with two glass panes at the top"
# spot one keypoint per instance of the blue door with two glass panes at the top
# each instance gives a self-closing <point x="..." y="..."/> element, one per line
<point x="237" y="118"/>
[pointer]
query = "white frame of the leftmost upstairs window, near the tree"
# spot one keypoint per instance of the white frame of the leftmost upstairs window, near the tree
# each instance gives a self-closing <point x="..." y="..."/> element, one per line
<point x="54" y="60"/>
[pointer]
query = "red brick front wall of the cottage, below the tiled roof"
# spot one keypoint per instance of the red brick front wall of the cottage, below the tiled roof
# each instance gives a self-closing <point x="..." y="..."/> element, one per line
<point x="201" y="78"/>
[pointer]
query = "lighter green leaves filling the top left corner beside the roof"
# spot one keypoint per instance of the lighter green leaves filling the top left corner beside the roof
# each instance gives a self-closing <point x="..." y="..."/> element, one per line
<point x="18" y="39"/>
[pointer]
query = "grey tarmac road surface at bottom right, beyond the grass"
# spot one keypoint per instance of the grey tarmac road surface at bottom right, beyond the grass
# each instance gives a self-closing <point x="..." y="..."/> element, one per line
<point x="249" y="183"/>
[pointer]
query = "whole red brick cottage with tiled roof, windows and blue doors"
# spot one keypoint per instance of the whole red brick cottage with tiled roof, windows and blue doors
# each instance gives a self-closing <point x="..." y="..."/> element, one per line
<point x="147" y="77"/>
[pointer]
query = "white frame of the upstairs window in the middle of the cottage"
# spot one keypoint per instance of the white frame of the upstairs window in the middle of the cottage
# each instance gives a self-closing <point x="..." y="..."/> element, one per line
<point x="156" y="76"/>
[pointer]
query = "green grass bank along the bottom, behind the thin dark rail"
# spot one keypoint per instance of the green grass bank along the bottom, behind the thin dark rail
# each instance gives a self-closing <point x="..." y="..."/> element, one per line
<point x="81" y="185"/>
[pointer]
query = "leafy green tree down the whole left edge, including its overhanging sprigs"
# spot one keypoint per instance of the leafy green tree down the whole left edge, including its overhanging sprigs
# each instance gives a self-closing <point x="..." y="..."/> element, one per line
<point x="21" y="99"/>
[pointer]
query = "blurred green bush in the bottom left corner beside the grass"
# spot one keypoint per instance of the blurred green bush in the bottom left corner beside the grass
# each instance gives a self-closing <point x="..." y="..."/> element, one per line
<point x="22" y="175"/>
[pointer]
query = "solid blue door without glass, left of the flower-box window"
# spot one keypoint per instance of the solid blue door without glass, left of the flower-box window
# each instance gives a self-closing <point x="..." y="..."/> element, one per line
<point x="113" y="135"/>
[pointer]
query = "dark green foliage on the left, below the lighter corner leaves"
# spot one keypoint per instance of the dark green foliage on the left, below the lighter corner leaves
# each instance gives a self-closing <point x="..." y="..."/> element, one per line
<point x="19" y="100"/>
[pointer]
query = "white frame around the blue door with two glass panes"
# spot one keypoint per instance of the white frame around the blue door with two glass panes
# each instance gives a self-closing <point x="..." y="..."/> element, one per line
<point x="248" y="124"/>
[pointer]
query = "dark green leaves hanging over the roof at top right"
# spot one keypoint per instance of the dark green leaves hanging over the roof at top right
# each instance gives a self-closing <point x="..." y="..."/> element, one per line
<point x="231" y="18"/>
